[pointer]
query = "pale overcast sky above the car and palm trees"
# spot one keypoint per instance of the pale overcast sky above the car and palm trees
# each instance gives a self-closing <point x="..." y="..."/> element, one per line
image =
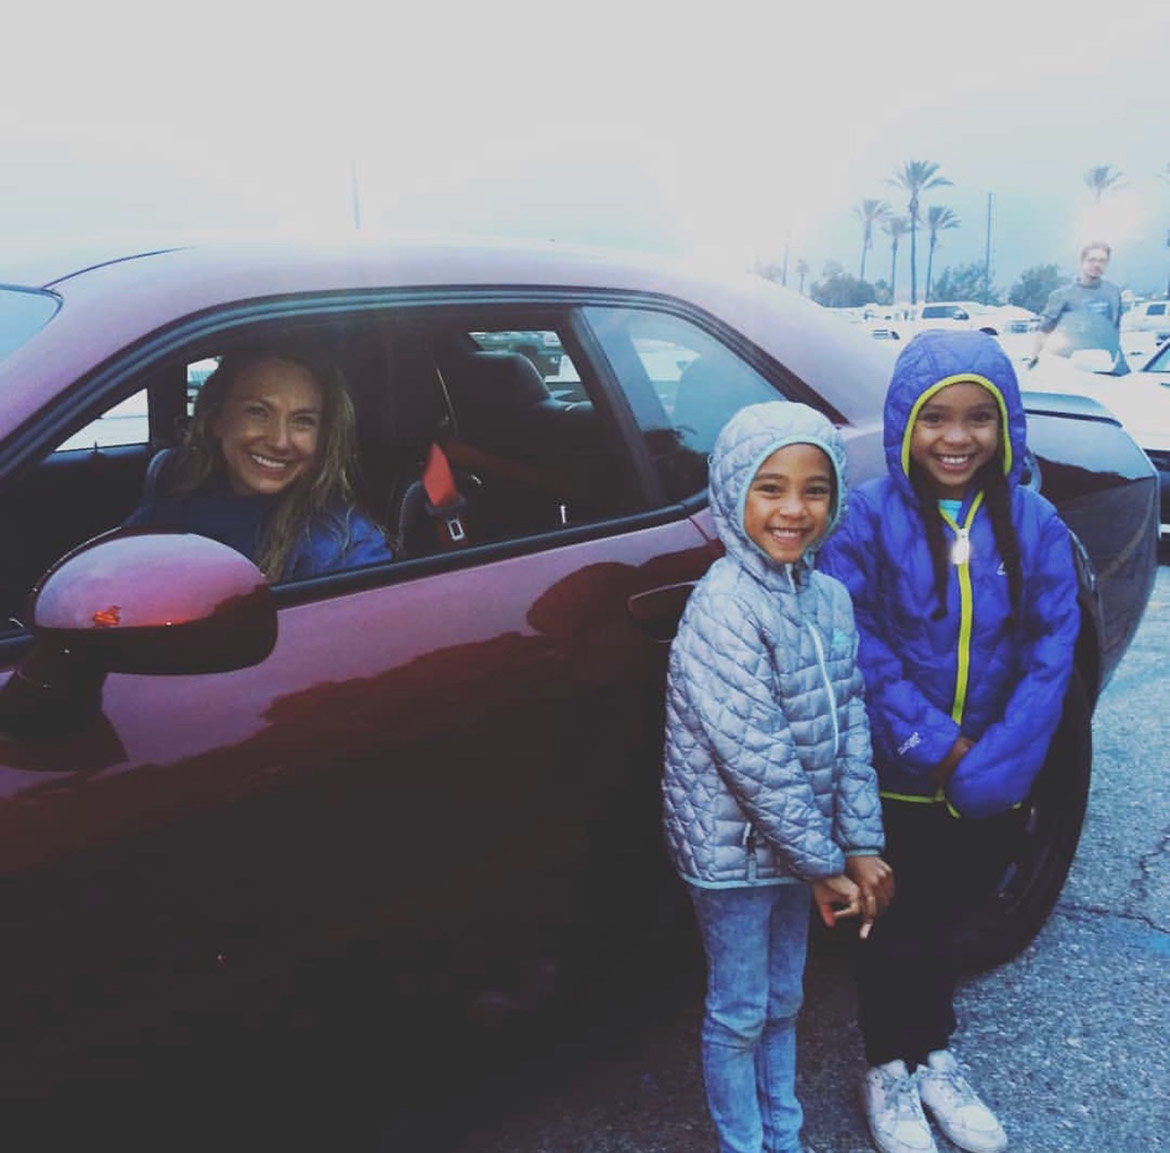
<point x="734" y="132"/>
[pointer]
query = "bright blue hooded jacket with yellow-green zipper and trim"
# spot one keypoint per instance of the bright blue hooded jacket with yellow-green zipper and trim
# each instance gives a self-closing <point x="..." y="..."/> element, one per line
<point x="974" y="672"/>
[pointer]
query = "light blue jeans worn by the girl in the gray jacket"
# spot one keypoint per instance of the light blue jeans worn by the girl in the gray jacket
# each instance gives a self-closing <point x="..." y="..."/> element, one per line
<point x="756" y="942"/>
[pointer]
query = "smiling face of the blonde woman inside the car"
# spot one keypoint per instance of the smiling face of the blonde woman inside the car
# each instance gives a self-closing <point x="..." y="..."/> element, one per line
<point x="269" y="429"/>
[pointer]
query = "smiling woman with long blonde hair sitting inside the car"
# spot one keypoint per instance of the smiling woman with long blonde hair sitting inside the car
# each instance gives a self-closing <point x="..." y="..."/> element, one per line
<point x="266" y="469"/>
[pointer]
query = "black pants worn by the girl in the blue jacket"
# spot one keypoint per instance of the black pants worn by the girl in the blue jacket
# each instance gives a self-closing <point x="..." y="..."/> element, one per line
<point x="907" y="969"/>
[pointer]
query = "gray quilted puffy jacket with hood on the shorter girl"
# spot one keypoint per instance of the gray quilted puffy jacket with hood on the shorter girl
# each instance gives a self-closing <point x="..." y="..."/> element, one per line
<point x="768" y="764"/>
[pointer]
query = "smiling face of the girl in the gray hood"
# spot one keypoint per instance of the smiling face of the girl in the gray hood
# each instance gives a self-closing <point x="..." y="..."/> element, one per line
<point x="790" y="502"/>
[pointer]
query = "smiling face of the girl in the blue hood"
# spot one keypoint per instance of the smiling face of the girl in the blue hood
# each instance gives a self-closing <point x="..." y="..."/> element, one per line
<point x="955" y="435"/>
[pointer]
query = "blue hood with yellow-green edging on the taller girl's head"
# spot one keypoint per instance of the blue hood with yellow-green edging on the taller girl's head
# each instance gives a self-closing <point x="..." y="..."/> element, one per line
<point x="931" y="362"/>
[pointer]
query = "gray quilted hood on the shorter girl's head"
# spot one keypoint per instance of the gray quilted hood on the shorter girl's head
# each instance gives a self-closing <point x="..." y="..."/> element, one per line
<point x="747" y="441"/>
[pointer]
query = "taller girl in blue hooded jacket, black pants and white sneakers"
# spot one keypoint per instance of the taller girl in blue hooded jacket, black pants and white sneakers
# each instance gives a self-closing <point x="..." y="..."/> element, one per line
<point x="966" y="599"/>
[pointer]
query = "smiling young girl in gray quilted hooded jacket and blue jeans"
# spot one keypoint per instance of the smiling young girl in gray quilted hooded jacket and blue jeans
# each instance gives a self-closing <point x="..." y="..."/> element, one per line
<point x="769" y="791"/>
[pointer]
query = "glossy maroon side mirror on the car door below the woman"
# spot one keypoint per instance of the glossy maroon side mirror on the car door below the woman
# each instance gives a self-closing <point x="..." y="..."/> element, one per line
<point x="135" y="602"/>
